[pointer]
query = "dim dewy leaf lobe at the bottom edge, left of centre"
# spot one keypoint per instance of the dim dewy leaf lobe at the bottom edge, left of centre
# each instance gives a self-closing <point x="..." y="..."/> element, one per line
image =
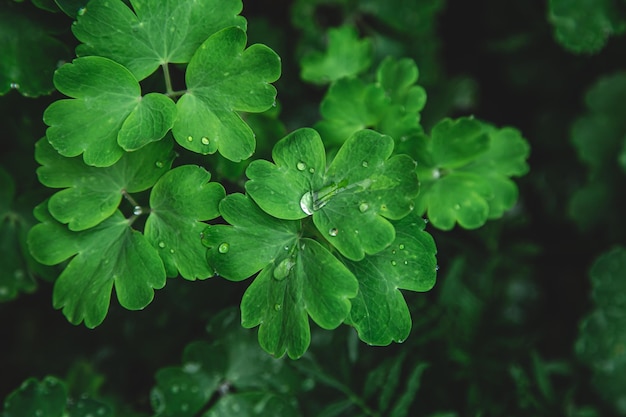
<point x="251" y="404"/>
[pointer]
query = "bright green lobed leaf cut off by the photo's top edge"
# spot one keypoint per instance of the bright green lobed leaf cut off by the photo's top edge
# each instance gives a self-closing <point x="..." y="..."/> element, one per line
<point x="152" y="34"/>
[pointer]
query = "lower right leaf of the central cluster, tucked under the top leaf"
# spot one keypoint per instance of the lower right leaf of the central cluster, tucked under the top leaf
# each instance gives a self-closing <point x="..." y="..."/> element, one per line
<point x="379" y="312"/>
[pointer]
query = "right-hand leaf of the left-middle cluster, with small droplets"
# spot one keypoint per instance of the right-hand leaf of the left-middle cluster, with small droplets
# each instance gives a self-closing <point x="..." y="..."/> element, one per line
<point x="179" y="202"/>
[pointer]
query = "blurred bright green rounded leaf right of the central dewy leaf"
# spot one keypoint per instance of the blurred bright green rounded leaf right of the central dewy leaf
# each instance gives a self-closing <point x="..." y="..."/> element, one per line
<point x="465" y="170"/>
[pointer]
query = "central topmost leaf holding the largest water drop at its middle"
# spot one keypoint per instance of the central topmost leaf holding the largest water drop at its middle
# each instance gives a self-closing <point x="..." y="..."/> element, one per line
<point x="350" y="200"/>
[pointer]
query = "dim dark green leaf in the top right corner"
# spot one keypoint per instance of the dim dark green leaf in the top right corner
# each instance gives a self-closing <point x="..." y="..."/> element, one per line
<point x="584" y="26"/>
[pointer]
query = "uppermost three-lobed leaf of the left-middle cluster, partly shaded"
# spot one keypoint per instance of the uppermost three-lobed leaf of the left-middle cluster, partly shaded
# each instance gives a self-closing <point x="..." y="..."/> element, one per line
<point x="91" y="194"/>
